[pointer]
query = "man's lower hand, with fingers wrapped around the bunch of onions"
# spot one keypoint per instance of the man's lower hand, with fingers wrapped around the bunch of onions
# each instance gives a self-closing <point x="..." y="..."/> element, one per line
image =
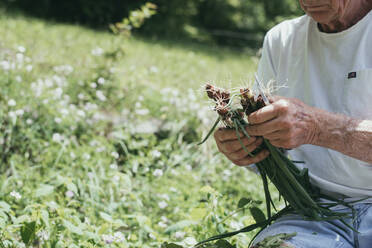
<point x="228" y="143"/>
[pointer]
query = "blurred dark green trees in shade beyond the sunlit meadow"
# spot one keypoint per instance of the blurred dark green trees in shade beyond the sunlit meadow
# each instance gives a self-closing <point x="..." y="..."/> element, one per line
<point x="225" y="22"/>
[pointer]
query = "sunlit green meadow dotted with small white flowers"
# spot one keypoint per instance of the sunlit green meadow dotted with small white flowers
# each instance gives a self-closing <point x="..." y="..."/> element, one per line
<point x="98" y="140"/>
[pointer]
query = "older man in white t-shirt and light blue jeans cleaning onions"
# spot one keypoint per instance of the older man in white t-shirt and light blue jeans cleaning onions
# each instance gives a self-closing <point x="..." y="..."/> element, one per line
<point x="325" y="59"/>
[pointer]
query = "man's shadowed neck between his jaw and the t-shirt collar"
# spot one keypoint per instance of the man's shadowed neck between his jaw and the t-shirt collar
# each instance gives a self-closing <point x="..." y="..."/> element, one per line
<point x="354" y="13"/>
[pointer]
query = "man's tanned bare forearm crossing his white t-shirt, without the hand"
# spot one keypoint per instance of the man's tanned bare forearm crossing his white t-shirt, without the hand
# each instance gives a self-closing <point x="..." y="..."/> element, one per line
<point x="344" y="134"/>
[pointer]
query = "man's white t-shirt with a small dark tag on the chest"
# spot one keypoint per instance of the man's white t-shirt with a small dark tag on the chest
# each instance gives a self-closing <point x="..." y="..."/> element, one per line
<point x="330" y="71"/>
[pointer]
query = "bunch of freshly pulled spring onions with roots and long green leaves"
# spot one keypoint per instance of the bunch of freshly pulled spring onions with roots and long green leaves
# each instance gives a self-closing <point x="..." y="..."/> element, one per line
<point x="293" y="184"/>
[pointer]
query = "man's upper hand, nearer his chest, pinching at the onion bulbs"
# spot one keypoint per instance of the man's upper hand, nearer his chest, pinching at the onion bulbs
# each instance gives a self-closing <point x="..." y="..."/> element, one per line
<point x="286" y="123"/>
